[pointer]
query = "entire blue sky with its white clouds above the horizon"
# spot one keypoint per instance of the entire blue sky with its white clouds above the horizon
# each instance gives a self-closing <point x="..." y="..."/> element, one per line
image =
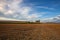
<point x="30" y="10"/>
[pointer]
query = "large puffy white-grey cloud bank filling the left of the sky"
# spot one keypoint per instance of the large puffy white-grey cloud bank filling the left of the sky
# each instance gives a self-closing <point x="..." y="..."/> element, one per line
<point x="13" y="9"/>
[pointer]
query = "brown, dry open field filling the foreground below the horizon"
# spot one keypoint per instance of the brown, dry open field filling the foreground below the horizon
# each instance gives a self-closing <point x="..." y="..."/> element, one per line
<point x="29" y="31"/>
